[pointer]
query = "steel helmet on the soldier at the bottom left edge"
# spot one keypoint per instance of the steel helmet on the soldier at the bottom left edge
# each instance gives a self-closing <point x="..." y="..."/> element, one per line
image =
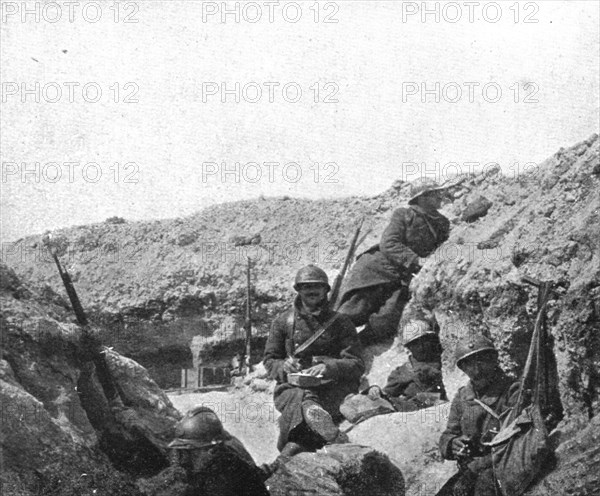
<point x="200" y="427"/>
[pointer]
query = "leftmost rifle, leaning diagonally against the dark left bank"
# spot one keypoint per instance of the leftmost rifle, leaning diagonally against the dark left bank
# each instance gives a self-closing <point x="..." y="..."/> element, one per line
<point x="90" y="343"/>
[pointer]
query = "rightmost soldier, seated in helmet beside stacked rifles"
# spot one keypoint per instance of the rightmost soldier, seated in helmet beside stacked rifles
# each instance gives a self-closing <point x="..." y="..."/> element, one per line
<point x="470" y="422"/>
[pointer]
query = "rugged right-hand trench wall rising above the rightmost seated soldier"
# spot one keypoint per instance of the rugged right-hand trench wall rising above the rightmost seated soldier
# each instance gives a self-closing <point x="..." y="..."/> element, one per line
<point x="546" y="226"/>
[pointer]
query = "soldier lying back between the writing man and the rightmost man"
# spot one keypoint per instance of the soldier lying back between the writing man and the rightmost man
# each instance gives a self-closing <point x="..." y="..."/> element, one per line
<point x="418" y="383"/>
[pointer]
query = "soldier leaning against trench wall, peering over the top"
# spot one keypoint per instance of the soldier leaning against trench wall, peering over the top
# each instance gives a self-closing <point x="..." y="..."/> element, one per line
<point x="377" y="288"/>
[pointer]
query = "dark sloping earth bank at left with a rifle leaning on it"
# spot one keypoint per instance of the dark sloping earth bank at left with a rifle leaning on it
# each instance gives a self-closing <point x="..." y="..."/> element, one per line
<point x="60" y="435"/>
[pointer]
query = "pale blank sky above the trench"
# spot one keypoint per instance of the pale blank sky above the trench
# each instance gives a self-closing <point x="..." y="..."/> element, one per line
<point x="157" y="109"/>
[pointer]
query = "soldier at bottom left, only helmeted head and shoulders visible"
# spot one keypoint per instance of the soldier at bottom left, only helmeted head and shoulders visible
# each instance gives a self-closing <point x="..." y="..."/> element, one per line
<point x="214" y="461"/>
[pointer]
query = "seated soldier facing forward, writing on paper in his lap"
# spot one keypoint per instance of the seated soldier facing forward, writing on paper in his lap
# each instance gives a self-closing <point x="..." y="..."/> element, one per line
<point x="309" y="415"/>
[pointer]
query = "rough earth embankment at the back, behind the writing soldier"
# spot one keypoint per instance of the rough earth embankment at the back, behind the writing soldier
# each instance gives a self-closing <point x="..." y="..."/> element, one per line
<point x="174" y="280"/>
